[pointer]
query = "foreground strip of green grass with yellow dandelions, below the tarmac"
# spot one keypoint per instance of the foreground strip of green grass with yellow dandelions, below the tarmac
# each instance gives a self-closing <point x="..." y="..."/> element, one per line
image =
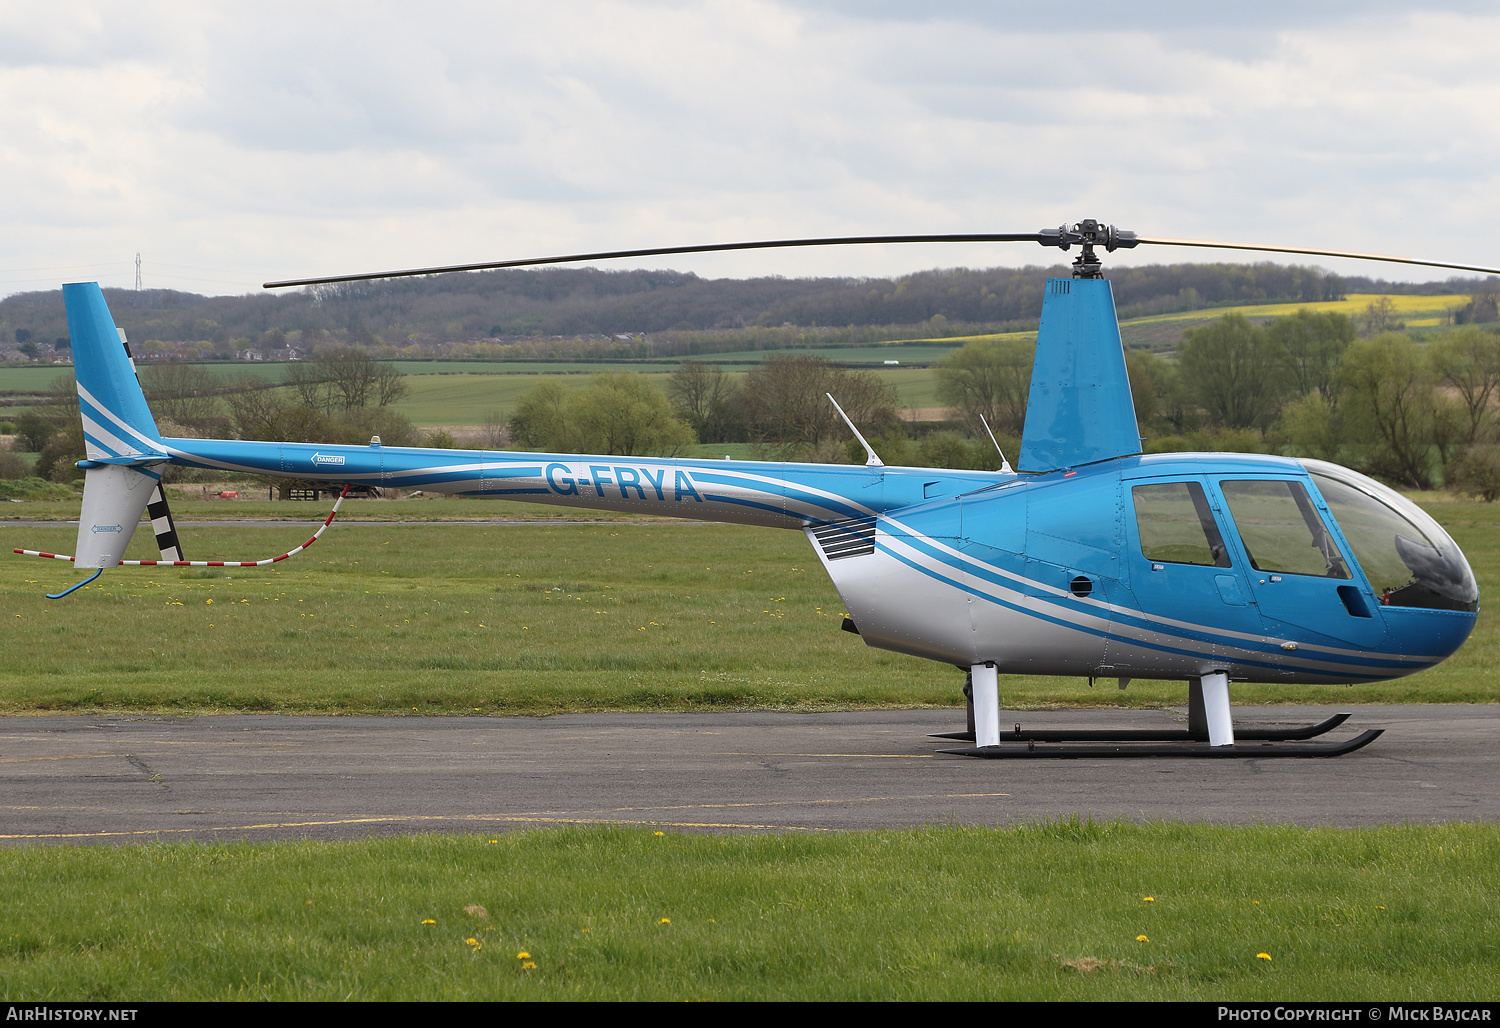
<point x="1043" y="912"/>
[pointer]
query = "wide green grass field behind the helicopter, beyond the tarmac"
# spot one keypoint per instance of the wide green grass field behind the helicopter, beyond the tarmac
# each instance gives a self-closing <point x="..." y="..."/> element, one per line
<point x="533" y="619"/>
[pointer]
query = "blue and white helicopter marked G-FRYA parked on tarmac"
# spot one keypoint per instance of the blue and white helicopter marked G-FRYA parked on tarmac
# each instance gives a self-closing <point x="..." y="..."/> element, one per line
<point x="1088" y="559"/>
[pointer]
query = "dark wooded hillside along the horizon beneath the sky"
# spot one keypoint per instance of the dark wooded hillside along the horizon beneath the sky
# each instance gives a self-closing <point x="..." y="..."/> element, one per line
<point x="587" y="302"/>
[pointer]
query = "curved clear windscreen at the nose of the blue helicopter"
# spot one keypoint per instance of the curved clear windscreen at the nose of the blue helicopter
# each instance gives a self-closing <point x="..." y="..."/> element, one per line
<point x="1403" y="552"/>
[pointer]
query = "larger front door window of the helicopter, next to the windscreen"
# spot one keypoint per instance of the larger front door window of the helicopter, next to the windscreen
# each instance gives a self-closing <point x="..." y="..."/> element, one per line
<point x="1282" y="531"/>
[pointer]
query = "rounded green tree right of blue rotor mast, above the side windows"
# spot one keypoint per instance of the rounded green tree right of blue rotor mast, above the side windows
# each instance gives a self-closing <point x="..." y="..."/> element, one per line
<point x="1235" y="373"/>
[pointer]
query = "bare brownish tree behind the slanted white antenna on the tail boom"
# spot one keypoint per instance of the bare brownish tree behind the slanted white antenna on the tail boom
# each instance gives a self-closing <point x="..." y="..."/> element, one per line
<point x="788" y="410"/>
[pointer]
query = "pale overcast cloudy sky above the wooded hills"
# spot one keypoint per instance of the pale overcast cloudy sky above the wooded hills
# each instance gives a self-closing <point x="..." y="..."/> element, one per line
<point x="238" y="143"/>
